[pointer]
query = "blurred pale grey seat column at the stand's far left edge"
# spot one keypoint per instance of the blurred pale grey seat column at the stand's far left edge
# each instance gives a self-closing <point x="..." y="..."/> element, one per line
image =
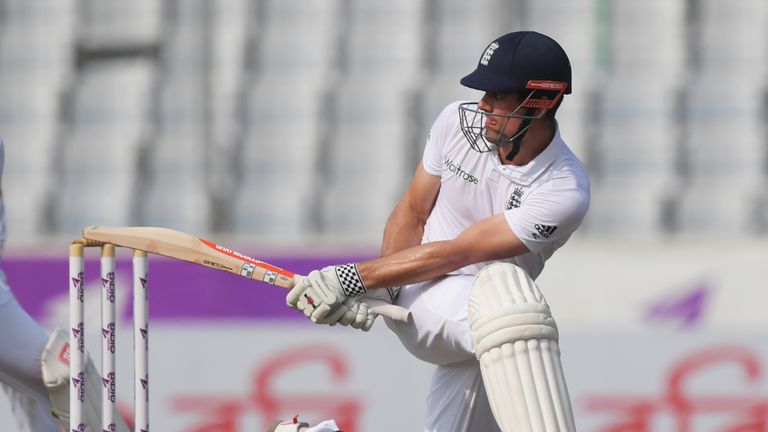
<point x="36" y="66"/>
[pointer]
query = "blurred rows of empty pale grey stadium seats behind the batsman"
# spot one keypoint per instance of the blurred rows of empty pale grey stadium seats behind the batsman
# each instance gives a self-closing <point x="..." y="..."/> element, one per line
<point x="307" y="118"/>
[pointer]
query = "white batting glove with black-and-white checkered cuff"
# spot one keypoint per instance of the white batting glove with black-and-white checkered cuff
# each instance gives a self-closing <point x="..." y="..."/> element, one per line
<point x="323" y="292"/>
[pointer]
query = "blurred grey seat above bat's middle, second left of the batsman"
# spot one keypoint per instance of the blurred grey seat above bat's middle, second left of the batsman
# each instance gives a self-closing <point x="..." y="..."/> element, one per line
<point x="278" y="164"/>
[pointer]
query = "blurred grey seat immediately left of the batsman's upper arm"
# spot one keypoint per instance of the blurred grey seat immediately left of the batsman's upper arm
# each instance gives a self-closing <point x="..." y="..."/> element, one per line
<point x="367" y="159"/>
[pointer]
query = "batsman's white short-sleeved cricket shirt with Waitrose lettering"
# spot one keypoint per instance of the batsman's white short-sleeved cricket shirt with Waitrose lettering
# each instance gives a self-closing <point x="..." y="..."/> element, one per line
<point x="543" y="201"/>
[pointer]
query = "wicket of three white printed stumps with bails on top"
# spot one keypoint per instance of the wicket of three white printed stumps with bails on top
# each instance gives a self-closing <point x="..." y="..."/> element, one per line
<point x="108" y="313"/>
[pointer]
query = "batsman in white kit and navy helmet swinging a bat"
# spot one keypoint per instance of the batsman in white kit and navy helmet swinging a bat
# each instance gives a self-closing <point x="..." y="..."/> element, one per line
<point x="496" y="194"/>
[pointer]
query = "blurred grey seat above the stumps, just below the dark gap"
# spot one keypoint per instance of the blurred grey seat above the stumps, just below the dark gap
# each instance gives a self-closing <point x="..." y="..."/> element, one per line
<point x="102" y="145"/>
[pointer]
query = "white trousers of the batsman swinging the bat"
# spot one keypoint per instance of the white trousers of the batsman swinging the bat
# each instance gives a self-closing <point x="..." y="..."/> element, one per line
<point x="439" y="333"/>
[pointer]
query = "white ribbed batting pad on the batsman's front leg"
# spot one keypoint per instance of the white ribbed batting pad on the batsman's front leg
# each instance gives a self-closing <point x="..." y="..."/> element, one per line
<point x="515" y="340"/>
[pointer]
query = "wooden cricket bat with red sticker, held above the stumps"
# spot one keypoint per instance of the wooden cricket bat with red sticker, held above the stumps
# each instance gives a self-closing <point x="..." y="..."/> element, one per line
<point x="186" y="247"/>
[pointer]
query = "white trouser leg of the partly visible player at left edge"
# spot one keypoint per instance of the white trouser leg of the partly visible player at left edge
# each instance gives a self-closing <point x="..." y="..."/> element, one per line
<point x="21" y="344"/>
